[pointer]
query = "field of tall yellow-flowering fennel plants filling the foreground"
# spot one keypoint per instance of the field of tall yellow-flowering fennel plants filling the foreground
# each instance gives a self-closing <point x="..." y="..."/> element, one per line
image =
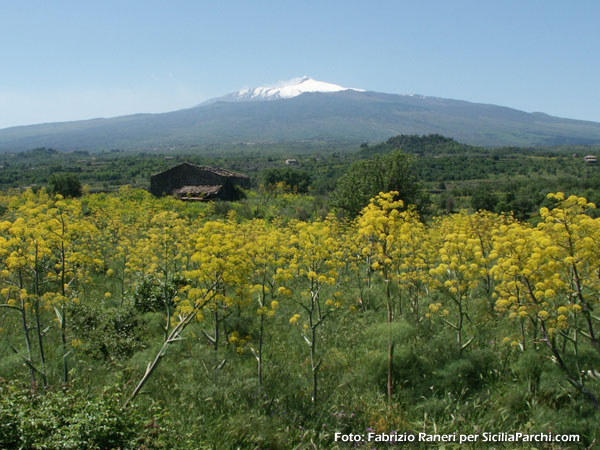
<point x="135" y="322"/>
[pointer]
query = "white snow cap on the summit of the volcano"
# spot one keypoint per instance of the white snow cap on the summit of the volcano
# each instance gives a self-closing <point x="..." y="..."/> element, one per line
<point x="284" y="89"/>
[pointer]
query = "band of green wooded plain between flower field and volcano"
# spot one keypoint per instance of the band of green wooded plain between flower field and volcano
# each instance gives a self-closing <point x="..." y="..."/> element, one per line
<point x="438" y="161"/>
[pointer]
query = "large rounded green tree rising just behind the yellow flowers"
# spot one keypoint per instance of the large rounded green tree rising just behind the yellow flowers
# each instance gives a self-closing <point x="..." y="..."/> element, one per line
<point x="365" y="179"/>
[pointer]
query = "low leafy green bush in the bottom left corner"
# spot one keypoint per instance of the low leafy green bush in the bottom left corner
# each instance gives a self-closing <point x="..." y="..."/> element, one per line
<point x="70" y="421"/>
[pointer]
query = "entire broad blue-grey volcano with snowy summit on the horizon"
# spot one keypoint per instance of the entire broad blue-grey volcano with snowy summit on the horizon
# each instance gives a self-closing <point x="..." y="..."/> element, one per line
<point x="305" y="109"/>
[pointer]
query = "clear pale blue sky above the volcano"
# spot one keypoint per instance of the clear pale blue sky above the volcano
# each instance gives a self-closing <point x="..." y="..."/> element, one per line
<point x="68" y="60"/>
